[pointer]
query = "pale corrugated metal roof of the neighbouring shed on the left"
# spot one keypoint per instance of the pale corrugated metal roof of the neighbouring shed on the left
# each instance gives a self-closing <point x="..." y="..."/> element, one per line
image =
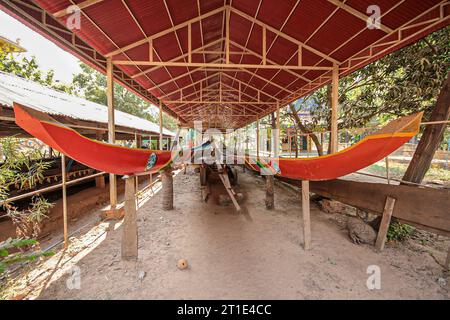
<point x="54" y="102"/>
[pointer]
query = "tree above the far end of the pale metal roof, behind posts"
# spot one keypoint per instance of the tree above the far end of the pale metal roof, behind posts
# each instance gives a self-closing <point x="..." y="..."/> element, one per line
<point x="91" y="84"/>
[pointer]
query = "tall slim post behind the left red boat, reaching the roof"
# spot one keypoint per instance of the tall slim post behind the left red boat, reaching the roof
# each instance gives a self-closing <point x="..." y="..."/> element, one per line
<point x="111" y="128"/>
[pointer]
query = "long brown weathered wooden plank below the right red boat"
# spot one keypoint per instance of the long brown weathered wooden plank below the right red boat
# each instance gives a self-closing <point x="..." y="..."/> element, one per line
<point x="425" y="208"/>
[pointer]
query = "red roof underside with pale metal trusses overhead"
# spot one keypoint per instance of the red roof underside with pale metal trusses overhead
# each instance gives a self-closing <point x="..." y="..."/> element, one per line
<point x="229" y="62"/>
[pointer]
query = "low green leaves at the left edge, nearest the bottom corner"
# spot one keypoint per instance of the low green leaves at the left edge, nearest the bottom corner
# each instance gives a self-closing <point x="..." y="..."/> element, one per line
<point x="7" y="257"/>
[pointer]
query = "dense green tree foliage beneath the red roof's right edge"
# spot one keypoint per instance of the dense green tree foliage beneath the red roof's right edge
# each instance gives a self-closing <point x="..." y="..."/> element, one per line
<point x="401" y="83"/>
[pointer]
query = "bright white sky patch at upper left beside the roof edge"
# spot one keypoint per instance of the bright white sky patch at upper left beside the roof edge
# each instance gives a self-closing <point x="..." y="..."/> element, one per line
<point x="48" y="55"/>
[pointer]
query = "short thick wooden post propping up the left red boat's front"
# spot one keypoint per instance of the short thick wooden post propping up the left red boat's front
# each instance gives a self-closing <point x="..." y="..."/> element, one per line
<point x="129" y="226"/>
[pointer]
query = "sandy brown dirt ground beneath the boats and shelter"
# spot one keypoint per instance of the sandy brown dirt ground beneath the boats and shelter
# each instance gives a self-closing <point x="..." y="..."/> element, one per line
<point x="256" y="254"/>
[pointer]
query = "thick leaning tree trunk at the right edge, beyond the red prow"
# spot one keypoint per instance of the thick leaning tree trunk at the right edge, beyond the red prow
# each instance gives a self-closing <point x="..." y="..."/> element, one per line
<point x="431" y="137"/>
